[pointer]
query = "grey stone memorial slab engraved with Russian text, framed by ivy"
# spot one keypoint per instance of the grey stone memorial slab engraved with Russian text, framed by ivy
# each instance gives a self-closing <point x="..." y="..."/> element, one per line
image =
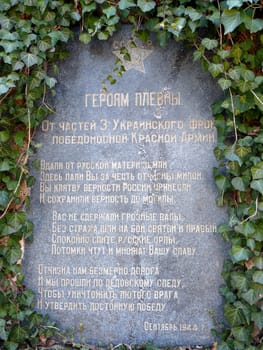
<point x="125" y="247"/>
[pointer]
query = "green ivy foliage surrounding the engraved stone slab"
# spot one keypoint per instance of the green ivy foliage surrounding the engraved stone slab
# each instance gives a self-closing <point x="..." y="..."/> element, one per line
<point x="227" y="38"/>
